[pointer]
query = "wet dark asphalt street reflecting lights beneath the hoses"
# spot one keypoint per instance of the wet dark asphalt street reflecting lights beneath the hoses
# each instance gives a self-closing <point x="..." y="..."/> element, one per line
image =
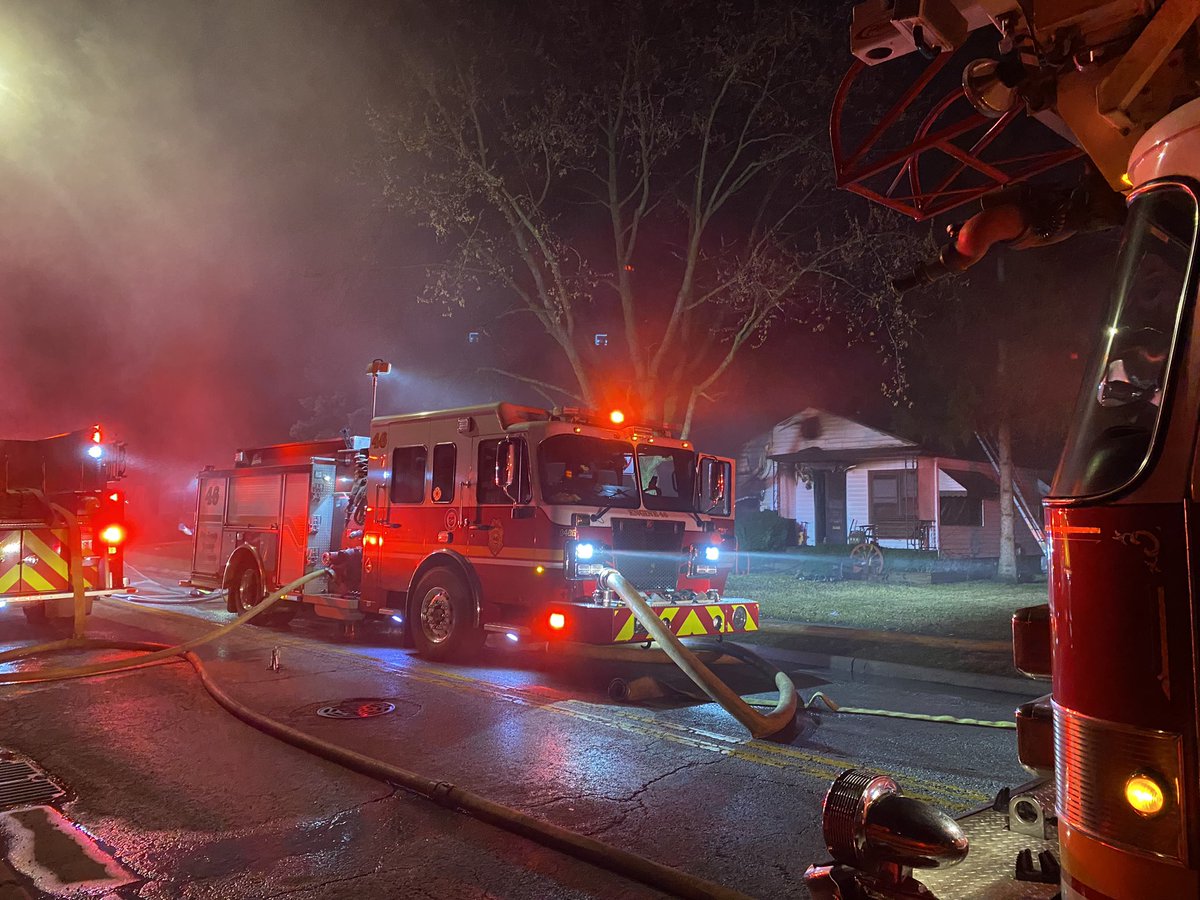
<point x="195" y="803"/>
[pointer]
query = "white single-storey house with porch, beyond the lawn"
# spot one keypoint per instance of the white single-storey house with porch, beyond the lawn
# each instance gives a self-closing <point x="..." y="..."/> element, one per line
<point x="835" y="477"/>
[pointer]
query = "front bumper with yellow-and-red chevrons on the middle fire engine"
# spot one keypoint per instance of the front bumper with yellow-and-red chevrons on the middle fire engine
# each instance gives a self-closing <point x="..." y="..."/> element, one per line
<point x="609" y="625"/>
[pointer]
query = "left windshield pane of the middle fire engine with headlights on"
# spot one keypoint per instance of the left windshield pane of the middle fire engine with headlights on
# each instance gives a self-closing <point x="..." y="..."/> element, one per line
<point x="586" y="471"/>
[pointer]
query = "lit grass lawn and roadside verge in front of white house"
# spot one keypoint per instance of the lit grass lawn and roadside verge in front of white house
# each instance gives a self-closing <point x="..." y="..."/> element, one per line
<point x="979" y="610"/>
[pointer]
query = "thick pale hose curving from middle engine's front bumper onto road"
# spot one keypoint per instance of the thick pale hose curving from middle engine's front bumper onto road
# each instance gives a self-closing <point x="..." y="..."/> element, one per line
<point x="759" y="725"/>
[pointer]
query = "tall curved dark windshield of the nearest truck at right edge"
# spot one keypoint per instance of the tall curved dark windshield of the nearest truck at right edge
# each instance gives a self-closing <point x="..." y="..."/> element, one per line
<point x="1118" y="416"/>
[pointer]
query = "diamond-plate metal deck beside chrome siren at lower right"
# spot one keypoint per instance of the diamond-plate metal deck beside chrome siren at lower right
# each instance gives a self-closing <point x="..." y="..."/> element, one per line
<point x="989" y="869"/>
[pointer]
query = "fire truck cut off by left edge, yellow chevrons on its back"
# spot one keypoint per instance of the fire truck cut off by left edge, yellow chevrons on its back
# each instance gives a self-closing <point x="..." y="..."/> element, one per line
<point x="44" y="485"/>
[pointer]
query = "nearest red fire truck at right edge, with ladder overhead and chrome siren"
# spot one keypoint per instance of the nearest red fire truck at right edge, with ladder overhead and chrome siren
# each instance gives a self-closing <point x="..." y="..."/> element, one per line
<point x="1120" y="734"/>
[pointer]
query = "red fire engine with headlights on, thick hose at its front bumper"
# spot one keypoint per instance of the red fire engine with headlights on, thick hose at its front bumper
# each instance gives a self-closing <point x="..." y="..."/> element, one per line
<point x="493" y="519"/>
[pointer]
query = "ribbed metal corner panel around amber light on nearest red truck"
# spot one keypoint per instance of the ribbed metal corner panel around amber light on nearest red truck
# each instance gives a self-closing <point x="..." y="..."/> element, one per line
<point x="1095" y="759"/>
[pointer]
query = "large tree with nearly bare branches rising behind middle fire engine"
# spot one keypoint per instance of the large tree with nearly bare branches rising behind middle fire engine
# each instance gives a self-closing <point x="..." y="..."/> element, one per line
<point x="657" y="172"/>
